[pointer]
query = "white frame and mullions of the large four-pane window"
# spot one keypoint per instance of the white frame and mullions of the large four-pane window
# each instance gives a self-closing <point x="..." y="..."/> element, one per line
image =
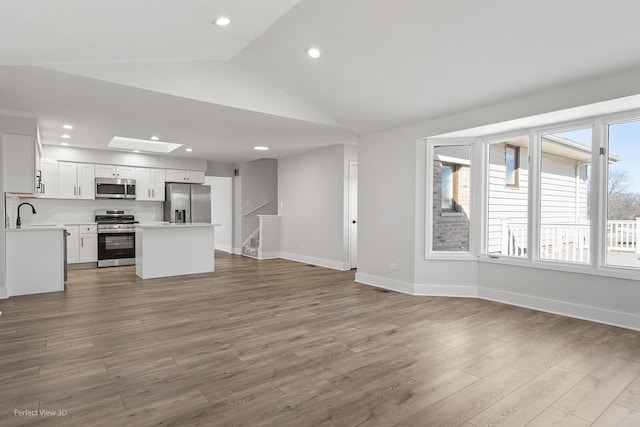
<point x="479" y="146"/>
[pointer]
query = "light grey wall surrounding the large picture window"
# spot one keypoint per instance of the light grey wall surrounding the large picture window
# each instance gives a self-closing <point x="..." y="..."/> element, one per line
<point x="392" y="191"/>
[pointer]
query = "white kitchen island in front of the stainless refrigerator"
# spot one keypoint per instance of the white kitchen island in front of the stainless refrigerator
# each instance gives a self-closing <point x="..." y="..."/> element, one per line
<point x="164" y="249"/>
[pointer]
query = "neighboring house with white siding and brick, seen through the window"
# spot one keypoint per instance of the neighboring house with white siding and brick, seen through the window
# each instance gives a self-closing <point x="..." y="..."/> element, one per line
<point x="564" y="193"/>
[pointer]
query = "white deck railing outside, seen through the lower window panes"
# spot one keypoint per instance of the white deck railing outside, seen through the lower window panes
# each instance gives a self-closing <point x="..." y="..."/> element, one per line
<point x="570" y="242"/>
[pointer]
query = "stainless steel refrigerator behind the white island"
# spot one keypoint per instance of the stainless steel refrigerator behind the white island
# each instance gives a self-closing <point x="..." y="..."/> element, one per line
<point x="187" y="203"/>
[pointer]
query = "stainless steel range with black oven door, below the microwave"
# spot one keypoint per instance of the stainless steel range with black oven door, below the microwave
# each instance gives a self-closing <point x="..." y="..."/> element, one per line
<point x="116" y="238"/>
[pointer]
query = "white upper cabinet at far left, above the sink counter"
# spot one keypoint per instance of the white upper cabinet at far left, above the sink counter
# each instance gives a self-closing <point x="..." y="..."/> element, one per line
<point x="21" y="161"/>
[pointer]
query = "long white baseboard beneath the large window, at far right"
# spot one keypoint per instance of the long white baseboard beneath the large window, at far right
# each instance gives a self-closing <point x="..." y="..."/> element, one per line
<point x="594" y="314"/>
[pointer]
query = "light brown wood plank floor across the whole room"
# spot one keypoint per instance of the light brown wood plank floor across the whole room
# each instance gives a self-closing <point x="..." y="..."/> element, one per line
<point x="279" y="343"/>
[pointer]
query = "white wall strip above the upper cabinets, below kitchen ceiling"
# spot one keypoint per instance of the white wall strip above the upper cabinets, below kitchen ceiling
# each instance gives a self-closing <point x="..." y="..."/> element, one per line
<point x="85" y="155"/>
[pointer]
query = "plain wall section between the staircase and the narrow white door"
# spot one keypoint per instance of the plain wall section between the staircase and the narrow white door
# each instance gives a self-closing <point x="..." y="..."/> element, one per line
<point x="313" y="205"/>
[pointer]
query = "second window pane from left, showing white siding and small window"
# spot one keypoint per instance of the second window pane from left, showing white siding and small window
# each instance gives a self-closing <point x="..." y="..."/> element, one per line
<point x="507" y="201"/>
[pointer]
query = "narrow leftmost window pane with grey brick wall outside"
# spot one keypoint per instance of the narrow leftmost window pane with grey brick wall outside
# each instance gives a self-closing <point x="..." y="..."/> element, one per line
<point x="451" y="176"/>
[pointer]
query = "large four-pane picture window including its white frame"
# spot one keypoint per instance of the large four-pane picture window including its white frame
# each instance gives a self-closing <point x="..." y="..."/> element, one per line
<point x="566" y="197"/>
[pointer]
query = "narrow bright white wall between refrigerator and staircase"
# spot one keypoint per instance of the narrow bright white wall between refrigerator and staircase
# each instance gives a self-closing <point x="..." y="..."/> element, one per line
<point x="221" y="210"/>
